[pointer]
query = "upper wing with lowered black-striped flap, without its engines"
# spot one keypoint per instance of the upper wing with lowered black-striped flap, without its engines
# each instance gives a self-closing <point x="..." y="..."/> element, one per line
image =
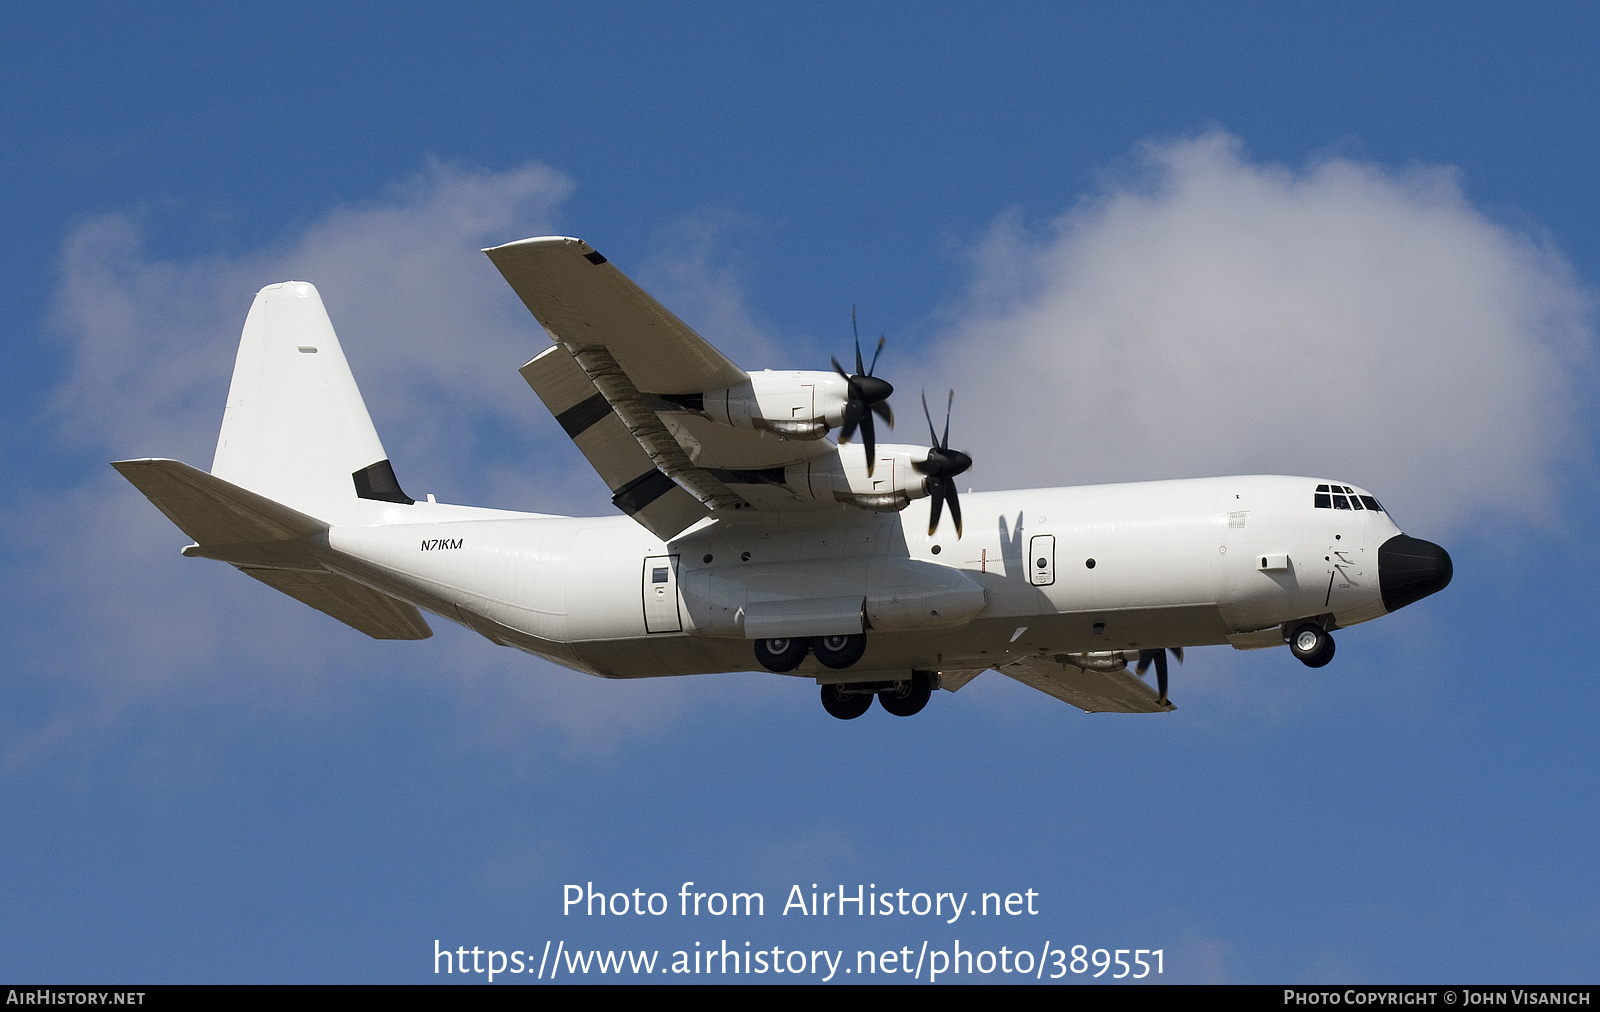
<point x="620" y="363"/>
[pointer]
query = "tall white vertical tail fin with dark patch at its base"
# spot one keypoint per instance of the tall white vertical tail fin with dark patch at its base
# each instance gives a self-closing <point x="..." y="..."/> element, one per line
<point x="297" y="428"/>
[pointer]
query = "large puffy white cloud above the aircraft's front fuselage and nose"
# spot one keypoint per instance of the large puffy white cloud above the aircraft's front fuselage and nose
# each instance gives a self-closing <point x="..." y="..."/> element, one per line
<point x="1207" y="315"/>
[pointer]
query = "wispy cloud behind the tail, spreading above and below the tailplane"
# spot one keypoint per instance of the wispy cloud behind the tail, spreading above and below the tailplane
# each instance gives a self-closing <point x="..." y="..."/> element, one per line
<point x="116" y="620"/>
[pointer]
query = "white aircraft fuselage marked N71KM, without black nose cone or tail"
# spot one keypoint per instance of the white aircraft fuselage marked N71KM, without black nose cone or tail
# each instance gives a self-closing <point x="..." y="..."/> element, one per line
<point x="1081" y="569"/>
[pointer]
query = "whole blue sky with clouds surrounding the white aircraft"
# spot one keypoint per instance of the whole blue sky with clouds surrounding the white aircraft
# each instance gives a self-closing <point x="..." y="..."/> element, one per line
<point x="1140" y="241"/>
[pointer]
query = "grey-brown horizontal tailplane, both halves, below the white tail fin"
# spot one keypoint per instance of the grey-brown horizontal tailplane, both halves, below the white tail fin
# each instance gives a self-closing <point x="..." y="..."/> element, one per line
<point x="270" y="542"/>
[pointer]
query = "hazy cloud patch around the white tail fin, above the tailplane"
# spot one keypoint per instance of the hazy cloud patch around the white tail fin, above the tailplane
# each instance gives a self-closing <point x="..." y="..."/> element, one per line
<point x="433" y="332"/>
